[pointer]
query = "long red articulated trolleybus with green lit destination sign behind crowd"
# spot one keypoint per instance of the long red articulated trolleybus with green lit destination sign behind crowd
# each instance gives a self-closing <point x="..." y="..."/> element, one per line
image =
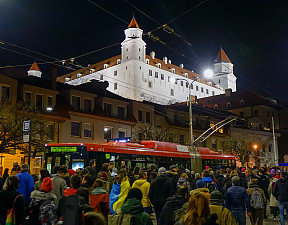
<point x="78" y="155"/>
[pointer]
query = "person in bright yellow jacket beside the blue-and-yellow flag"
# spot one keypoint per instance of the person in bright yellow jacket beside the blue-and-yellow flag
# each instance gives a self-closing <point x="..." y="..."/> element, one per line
<point x="144" y="187"/>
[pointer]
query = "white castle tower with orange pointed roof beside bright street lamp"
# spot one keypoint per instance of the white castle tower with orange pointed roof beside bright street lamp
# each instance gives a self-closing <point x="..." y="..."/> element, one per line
<point x="223" y="72"/>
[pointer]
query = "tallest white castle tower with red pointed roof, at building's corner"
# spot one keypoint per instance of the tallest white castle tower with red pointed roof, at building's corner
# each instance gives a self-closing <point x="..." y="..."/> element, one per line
<point x="133" y="47"/>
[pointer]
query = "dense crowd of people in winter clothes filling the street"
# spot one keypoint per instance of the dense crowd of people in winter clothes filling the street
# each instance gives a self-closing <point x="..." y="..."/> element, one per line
<point x="135" y="196"/>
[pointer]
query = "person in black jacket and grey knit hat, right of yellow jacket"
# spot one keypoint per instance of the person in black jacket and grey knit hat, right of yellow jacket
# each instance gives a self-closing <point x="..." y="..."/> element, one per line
<point x="160" y="190"/>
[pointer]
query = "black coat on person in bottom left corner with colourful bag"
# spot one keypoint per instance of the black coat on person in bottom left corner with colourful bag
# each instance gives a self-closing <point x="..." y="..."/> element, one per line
<point x="6" y="202"/>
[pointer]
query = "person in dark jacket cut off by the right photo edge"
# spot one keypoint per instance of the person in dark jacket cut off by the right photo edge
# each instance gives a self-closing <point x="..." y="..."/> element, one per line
<point x="280" y="190"/>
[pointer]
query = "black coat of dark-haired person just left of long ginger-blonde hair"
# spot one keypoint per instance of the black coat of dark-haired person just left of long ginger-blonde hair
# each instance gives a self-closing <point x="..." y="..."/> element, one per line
<point x="173" y="203"/>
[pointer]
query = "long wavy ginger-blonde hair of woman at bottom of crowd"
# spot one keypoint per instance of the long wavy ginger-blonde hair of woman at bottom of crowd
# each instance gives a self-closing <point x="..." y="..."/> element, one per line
<point x="198" y="210"/>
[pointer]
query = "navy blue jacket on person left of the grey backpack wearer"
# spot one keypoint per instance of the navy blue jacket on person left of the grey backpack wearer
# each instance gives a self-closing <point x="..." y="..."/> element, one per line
<point x="236" y="198"/>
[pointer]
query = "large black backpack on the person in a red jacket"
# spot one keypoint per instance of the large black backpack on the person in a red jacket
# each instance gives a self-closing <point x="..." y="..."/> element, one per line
<point x="70" y="210"/>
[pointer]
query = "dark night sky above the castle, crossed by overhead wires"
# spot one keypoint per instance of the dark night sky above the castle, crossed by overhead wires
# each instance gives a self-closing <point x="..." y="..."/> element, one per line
<point x="254" y="34"/>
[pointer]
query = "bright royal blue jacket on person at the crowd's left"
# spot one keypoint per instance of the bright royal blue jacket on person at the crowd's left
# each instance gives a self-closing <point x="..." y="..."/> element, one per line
<point x="26" y="185"/>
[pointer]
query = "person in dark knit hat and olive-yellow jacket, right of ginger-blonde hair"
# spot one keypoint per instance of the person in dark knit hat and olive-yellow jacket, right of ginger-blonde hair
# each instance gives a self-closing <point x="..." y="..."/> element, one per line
<point x="225" y="217"/>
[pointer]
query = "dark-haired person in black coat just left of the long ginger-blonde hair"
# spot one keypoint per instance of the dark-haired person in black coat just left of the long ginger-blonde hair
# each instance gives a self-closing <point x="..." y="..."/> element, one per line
<point x="173" y="203"/>
